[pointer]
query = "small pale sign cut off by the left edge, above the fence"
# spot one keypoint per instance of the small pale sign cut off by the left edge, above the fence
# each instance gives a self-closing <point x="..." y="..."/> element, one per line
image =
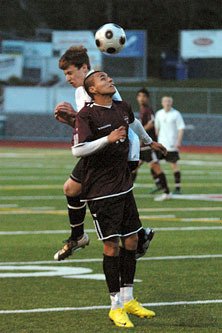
<point x="10" y="65"/>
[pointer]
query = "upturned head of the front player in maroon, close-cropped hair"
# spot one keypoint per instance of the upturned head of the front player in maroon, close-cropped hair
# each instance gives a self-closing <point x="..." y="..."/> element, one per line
<point x="99" y="83"/>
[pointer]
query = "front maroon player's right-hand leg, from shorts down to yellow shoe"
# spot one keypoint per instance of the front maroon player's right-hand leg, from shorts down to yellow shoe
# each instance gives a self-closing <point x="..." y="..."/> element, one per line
<point x="130" y="227"/>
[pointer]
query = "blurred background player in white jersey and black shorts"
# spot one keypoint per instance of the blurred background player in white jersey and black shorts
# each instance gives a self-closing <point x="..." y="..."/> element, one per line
<point x="170" y="127"/>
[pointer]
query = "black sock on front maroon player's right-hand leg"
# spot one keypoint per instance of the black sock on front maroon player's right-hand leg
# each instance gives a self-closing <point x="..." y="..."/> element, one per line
<point x="127" y="266"/>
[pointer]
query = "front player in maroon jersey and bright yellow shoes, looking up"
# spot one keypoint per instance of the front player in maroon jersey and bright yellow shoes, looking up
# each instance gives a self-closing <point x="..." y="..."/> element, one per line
<point x="101" y="138"/>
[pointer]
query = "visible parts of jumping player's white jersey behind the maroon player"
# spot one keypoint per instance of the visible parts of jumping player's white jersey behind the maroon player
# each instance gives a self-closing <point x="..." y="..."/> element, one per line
<point x="82" y="97"/>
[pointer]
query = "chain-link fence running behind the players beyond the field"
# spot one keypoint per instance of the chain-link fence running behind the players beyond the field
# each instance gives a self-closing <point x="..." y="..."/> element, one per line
<point x="201" y="109"/>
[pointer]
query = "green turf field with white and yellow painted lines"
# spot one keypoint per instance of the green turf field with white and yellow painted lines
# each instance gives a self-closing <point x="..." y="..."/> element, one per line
<point x="183" y="265"/>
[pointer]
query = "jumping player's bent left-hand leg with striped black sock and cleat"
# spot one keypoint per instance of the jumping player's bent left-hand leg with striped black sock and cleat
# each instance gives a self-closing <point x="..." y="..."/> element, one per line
<point x="76" y="212"/>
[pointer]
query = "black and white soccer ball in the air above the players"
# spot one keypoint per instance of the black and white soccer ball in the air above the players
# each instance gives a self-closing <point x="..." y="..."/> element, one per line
<point x="110" y="38"/>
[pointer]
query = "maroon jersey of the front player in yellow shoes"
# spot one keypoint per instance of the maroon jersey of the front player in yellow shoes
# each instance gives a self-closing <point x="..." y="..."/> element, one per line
<point x="105" y="173"/>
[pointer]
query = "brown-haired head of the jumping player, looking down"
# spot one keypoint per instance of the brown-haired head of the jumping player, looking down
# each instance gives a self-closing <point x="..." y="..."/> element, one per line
<point x="75" y="65"/>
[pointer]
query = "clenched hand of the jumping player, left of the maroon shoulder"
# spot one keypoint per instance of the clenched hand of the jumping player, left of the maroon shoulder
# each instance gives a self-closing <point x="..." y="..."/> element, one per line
<point x="65" y="113"/>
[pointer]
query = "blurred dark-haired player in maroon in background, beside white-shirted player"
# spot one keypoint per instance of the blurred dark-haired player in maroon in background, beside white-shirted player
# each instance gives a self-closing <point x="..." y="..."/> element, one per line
<point x="146" y="116"/>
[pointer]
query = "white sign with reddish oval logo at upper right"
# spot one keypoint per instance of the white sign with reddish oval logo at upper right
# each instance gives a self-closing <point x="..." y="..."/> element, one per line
<point x="201" y="44"/>
